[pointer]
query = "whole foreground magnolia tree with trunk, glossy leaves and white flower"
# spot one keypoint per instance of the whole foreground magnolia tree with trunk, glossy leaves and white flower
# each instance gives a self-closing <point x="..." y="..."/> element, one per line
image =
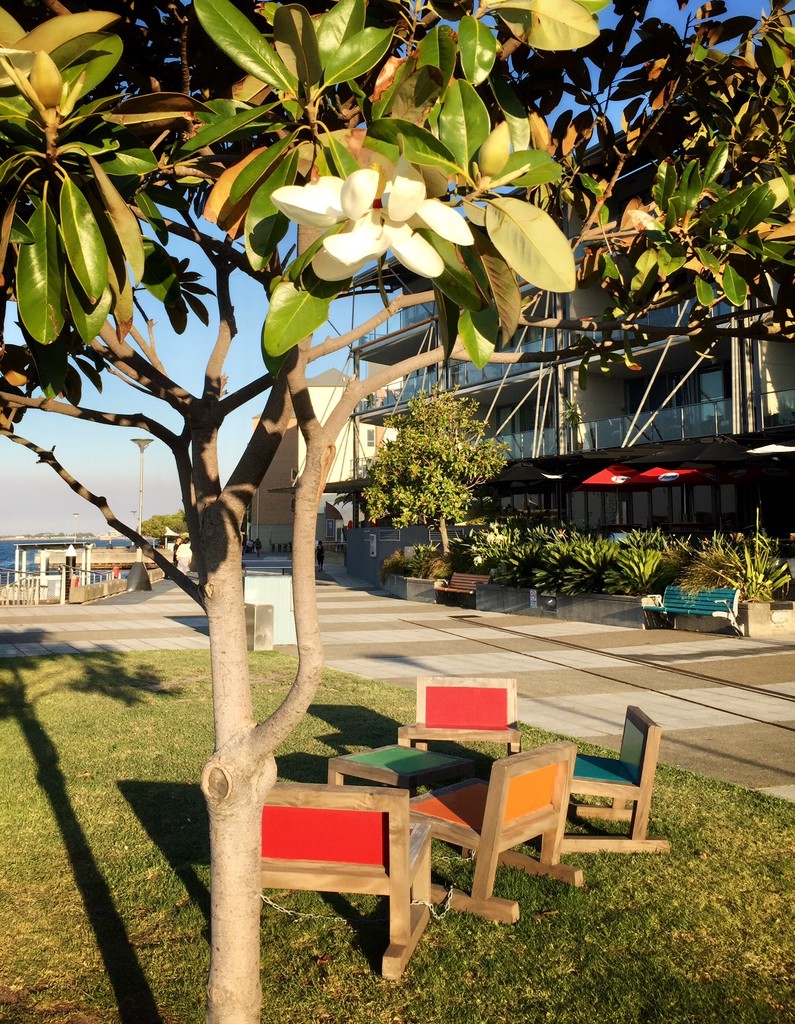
<point x="481" y="144"/>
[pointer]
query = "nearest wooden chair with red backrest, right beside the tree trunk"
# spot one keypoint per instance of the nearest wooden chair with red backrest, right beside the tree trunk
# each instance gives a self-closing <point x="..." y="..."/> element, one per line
<point x="352" y="840"/>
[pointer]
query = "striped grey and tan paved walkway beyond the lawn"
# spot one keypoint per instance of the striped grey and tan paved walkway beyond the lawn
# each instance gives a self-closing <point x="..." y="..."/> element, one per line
<point x="727" y="705"/>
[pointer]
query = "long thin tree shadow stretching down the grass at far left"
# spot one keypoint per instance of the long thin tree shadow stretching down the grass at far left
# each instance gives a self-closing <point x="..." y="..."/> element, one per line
<point x="108" y="675"/>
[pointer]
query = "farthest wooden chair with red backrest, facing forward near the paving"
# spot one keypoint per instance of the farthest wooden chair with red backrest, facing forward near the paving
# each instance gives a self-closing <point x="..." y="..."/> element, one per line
<point x="468" y="709"/>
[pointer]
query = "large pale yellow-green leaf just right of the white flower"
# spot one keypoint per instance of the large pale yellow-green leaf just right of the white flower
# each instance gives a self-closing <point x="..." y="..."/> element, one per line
<point x="532" y="244"/>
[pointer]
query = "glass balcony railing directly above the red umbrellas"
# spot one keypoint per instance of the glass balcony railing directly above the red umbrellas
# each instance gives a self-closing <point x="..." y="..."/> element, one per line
<point x="668" y="425"/>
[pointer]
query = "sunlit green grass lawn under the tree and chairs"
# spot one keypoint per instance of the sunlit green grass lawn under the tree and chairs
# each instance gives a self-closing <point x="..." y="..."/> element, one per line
<point x="104" y="872"/>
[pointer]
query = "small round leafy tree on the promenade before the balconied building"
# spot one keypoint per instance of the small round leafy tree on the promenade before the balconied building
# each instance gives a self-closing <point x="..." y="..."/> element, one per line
<point x="438" y="458"/>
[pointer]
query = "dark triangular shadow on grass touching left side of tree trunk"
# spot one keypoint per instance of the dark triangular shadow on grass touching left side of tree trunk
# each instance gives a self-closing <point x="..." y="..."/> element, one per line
<point x="175" y="818"/>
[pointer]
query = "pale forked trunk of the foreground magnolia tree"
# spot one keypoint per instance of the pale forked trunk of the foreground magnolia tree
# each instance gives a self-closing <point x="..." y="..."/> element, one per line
<point x="237" y="780"/>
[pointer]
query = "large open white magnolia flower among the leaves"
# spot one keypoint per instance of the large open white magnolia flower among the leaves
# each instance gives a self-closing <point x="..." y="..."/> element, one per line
<point x="378" y="218"/>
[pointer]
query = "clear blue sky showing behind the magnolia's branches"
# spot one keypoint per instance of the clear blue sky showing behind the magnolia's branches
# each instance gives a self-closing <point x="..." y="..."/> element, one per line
<point x="34" y="500"/>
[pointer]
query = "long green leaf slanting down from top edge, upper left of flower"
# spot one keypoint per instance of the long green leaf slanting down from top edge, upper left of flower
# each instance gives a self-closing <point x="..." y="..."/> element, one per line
<point x="236" y="36"/>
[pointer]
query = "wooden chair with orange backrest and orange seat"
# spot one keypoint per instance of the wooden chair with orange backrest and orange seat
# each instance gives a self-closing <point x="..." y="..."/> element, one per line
<point x="527" y="796"/>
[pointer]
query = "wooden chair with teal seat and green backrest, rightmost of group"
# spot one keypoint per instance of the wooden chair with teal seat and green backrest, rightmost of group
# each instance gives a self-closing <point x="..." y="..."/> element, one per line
<point x="629" y="778"/>
